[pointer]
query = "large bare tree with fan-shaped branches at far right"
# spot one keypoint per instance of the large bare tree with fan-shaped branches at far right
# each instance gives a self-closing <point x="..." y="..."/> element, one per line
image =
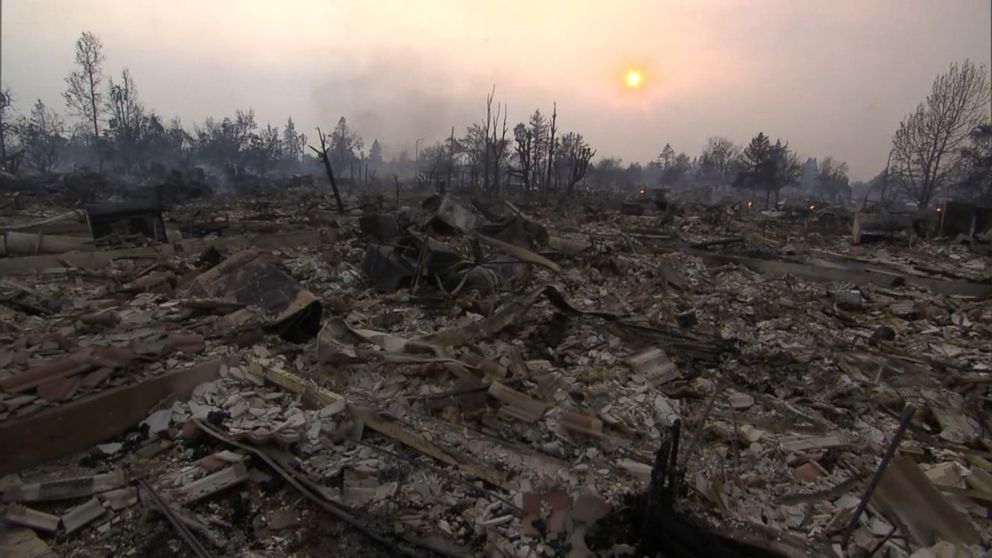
<point x="926" y="154"/>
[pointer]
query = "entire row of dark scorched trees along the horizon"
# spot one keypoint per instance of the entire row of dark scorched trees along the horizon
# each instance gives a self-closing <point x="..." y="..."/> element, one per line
<point x="944" y="147"/>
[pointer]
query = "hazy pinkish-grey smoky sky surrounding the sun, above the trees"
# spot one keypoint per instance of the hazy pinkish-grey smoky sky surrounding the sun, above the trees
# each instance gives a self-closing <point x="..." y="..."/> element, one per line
<point x="832" y="77"/>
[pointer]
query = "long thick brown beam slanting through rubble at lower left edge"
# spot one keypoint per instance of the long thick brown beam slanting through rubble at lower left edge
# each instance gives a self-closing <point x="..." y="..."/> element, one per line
<point x="76" y="426"/>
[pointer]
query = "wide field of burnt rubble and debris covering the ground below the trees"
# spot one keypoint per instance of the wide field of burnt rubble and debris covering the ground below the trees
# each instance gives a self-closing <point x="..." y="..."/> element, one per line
<point x="443" y="375"/>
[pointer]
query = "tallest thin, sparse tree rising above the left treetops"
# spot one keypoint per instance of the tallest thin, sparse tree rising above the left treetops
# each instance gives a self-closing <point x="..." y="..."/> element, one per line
<point x="82" y="94"/>
